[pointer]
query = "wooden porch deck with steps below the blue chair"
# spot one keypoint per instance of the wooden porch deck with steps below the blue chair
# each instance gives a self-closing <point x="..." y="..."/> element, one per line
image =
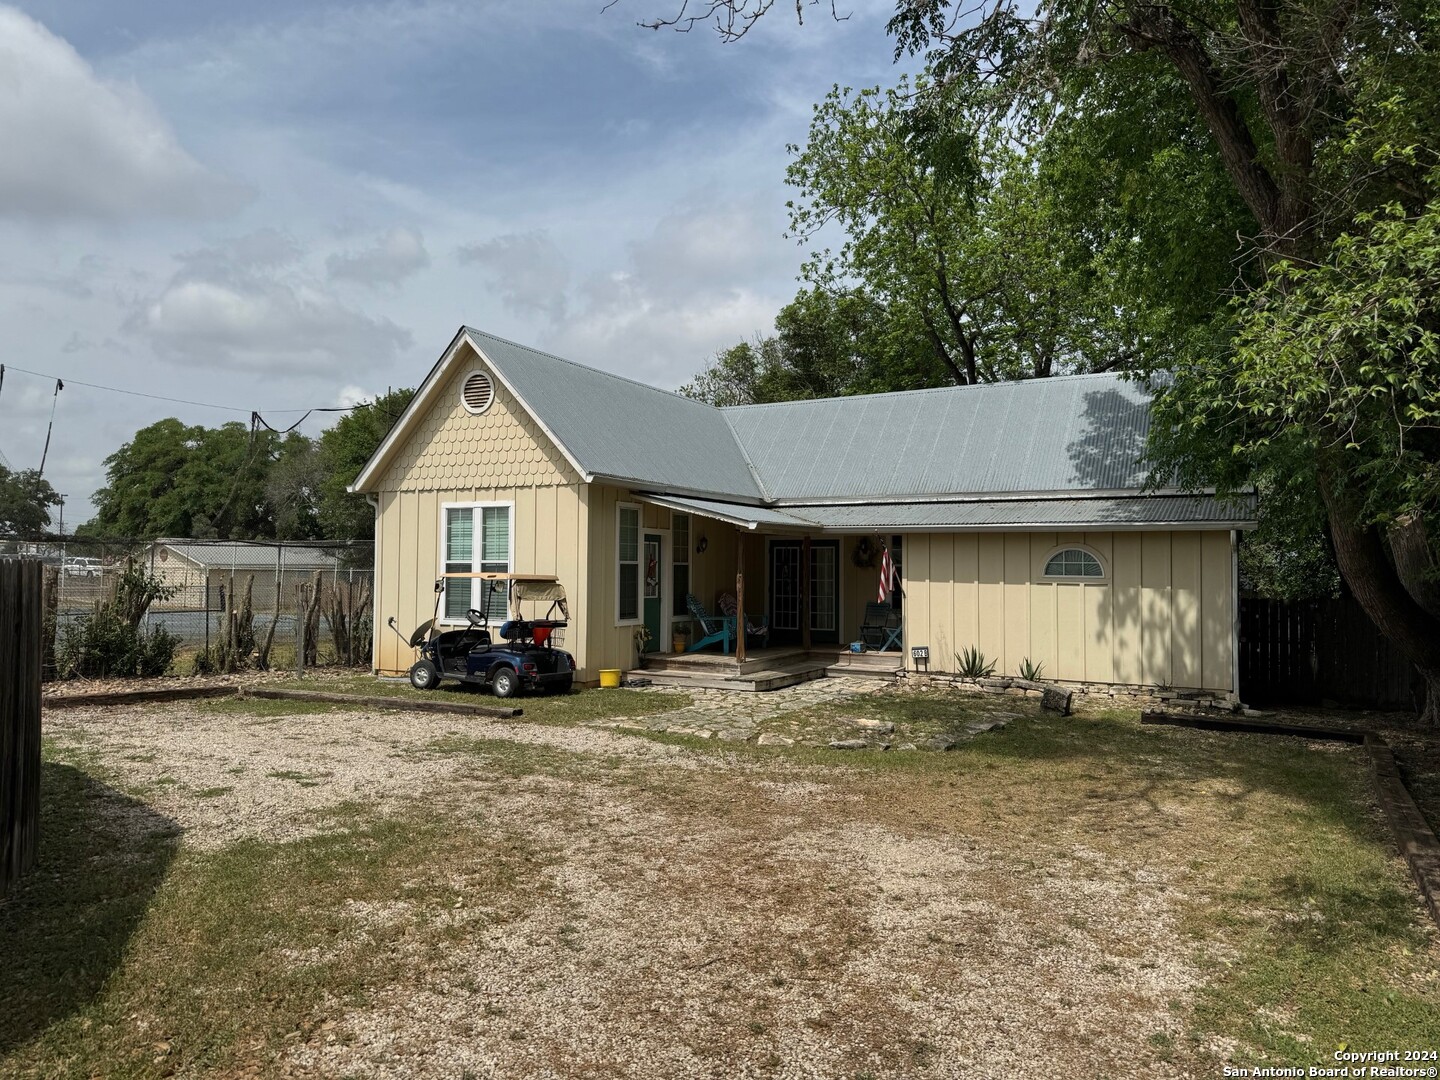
<point x="765" y="669"/>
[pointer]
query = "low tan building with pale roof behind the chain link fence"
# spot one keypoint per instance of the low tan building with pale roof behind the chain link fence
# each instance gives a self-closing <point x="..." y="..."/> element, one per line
<point x="201" y="571"/>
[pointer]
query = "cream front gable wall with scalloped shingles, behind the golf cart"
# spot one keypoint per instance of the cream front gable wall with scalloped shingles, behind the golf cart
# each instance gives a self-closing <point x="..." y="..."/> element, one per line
<point x="457" y="457"/>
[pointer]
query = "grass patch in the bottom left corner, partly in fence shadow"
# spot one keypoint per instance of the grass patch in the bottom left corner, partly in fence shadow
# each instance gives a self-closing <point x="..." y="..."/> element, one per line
<point x="129" y="957"/>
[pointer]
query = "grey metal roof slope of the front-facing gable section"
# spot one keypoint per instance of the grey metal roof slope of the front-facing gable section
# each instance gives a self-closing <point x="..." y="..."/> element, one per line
<point x="623" y="430"/>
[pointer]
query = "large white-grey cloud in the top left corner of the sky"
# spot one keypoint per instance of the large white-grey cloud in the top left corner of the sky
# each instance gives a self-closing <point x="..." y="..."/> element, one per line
<point x="78" y="146"/>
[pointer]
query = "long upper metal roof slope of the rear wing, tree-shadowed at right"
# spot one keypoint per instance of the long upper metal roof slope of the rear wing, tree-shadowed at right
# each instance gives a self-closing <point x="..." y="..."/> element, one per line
<point x="1065" y="434"/>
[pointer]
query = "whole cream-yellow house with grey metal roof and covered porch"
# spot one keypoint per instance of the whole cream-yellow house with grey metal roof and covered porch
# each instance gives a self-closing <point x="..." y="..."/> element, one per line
<point x="1012" y="516"/>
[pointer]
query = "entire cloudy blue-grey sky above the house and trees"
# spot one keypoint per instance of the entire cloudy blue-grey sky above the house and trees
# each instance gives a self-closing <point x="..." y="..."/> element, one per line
<point x="277" y="207"/>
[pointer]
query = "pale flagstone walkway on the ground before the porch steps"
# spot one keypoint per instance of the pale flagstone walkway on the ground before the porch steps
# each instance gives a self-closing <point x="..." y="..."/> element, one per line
<point x="737" y="716"/>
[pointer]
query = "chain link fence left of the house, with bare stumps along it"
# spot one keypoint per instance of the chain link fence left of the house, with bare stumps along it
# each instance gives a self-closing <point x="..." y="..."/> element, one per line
<point x="230" y="604"/>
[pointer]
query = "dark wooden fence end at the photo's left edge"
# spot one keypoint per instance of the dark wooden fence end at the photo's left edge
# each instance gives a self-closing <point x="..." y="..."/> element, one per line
<point x="21" y="616"/>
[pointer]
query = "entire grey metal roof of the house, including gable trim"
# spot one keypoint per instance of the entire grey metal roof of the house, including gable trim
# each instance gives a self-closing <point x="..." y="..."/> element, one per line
<point x="1065" y="450"/>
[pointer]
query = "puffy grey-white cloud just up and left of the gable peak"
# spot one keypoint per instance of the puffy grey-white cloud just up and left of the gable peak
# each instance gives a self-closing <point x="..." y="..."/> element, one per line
<point x="243" y="306"/>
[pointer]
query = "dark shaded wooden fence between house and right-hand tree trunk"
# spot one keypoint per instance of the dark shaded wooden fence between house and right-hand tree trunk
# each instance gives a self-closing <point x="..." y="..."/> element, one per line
<point x="1314" y="652"/>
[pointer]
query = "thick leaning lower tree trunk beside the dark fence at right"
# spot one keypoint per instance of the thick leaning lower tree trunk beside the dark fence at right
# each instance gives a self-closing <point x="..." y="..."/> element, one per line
<point x="1379" y="590"/>
